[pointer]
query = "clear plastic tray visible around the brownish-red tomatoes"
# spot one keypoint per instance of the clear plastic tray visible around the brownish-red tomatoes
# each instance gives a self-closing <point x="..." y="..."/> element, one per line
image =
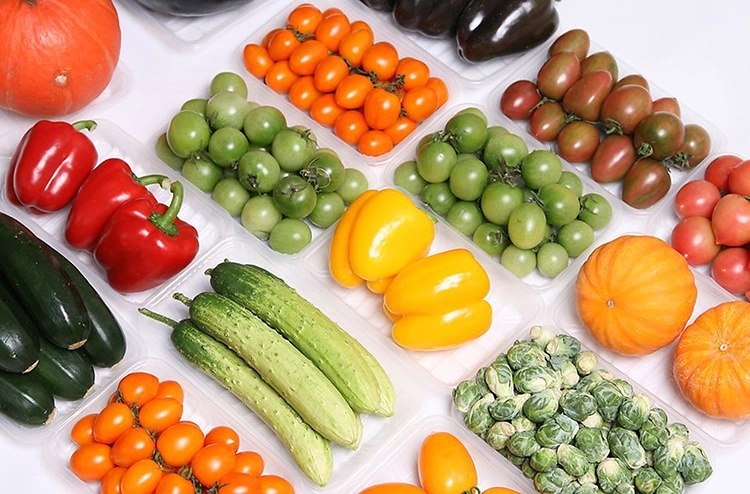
<point x="528" y="67"/>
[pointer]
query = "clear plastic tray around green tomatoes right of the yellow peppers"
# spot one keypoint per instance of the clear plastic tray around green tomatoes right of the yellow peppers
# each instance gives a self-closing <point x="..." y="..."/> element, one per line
<point x="536" y="280"/>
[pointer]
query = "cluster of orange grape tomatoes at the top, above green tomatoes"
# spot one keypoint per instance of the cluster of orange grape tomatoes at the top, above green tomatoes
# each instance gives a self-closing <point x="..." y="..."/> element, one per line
<point x="333" y="68"/>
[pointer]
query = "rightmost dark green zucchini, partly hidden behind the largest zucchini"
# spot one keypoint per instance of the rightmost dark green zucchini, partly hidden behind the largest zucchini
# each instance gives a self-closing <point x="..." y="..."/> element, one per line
<point x="106" y="343"/>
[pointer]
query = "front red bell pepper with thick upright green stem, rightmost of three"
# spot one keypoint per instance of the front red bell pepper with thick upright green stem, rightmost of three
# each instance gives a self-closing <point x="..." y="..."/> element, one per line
<point x="144" y="243"/>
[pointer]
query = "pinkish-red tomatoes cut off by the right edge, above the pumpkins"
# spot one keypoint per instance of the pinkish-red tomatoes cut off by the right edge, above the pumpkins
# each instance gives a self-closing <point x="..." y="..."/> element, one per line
<point x="714" y="222"/>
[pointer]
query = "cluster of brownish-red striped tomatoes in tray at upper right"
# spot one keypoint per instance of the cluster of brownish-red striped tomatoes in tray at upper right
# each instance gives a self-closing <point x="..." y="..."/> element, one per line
<point x="612" y="123"/>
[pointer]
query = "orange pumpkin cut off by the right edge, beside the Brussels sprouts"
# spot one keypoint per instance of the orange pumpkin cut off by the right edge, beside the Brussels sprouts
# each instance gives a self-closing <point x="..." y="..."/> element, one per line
<point x="712" y="366"/>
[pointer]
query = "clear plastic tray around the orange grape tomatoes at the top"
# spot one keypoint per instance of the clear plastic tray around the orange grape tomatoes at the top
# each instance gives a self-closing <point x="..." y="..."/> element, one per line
<point x="384" y="31"/>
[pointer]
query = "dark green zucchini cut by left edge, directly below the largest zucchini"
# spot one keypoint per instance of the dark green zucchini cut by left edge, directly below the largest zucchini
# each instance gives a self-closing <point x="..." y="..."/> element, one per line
<point x="19" y="347"/>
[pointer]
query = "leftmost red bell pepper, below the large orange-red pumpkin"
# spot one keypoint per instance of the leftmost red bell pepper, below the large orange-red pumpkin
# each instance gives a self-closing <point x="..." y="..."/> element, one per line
<point x="50" y="164"/>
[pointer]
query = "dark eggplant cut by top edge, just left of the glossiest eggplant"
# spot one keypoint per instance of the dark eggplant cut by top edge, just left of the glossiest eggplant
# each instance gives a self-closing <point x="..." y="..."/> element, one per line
<point x="435" y="18"/>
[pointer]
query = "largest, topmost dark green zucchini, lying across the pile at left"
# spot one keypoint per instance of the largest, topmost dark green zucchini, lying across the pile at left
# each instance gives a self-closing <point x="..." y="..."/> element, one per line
<point x="38" y="280"/>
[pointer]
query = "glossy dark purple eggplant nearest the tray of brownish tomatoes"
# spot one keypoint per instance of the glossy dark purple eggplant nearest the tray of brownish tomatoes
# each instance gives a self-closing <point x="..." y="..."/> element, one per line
<point x="492" y="28"/>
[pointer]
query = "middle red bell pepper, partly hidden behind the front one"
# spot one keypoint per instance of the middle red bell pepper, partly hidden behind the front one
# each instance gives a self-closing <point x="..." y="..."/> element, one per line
<point x="108" y="187"/>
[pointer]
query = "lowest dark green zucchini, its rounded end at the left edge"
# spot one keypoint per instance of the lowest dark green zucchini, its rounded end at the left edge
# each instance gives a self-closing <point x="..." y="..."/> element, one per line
<point x="24" y="399"/>
